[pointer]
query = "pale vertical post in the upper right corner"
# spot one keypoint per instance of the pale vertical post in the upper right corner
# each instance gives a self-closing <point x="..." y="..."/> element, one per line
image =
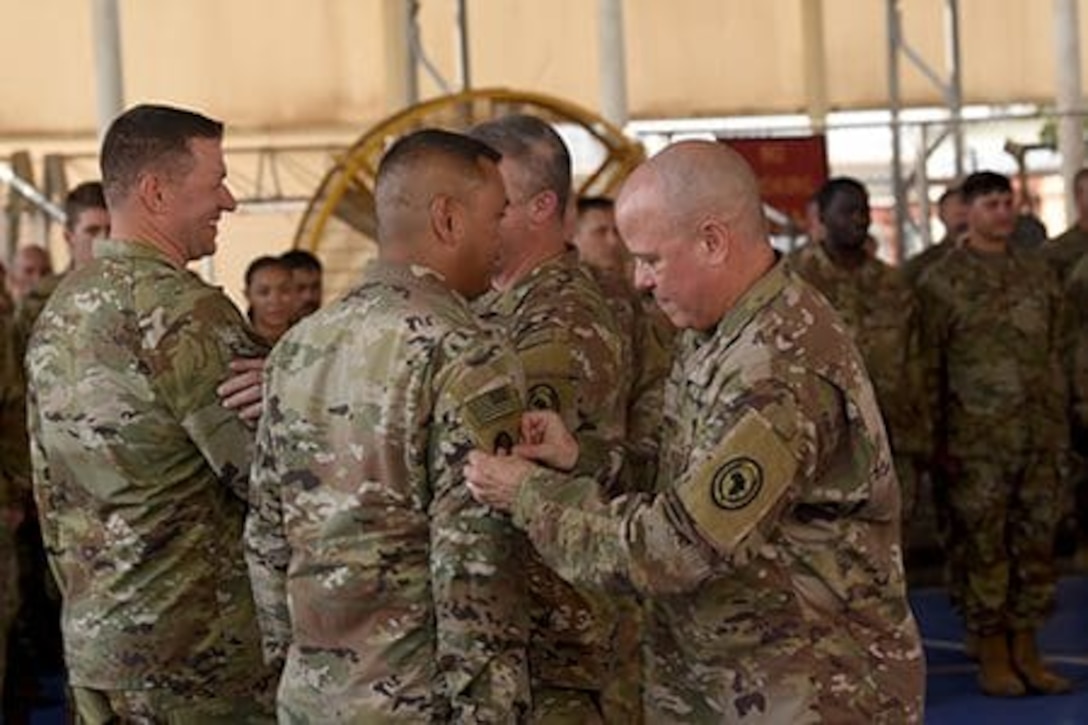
<point x="1071" y="144"/>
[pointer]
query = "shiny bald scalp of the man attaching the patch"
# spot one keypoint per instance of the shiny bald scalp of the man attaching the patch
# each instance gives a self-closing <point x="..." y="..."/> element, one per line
<point x="695" y="179"/>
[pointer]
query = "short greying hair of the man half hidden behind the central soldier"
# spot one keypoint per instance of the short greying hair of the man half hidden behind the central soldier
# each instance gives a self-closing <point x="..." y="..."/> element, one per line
<point x="535" y="144"/>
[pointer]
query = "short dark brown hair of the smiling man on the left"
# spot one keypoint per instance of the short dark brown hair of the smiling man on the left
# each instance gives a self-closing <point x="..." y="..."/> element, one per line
<point x="151" y="138"/>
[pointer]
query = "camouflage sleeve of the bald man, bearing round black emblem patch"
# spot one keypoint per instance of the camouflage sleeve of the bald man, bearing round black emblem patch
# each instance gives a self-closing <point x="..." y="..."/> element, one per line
<point x="723" y="507"/>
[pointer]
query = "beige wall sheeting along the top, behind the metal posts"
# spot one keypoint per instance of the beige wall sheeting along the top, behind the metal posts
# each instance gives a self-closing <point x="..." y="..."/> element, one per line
<point x="280" y="66"/>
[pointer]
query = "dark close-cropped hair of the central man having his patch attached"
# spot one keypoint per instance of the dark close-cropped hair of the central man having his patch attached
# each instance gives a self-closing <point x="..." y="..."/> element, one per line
<point x="416" y="171"/>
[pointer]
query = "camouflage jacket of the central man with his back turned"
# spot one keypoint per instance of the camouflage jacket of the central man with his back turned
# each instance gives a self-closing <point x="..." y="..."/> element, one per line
<point x="393" y="596"/>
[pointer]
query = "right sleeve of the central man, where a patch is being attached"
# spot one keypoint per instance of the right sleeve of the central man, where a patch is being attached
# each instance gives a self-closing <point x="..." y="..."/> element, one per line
<point x="480" y="604"/>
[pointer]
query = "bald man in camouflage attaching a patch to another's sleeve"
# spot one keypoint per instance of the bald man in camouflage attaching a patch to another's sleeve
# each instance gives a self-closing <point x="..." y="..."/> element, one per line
<point x="770" y="549"/>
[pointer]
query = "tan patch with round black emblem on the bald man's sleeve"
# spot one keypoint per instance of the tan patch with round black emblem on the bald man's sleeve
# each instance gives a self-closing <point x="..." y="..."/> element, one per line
<point x="736" y="487"/>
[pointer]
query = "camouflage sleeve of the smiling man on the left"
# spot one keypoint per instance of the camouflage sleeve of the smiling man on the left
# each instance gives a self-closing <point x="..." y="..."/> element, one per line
<point x="190" y="359"/>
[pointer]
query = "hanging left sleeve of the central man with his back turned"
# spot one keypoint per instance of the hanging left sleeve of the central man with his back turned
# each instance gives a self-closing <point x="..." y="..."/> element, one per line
<point x="268" y="552"/>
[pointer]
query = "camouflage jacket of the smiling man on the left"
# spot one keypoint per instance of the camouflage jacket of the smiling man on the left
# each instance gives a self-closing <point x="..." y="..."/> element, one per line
<point x="141" y="476"/>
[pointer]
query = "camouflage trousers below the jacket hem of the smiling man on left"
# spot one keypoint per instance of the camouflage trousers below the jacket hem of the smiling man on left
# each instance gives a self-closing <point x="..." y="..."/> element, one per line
<point x="166" y="708"/>
